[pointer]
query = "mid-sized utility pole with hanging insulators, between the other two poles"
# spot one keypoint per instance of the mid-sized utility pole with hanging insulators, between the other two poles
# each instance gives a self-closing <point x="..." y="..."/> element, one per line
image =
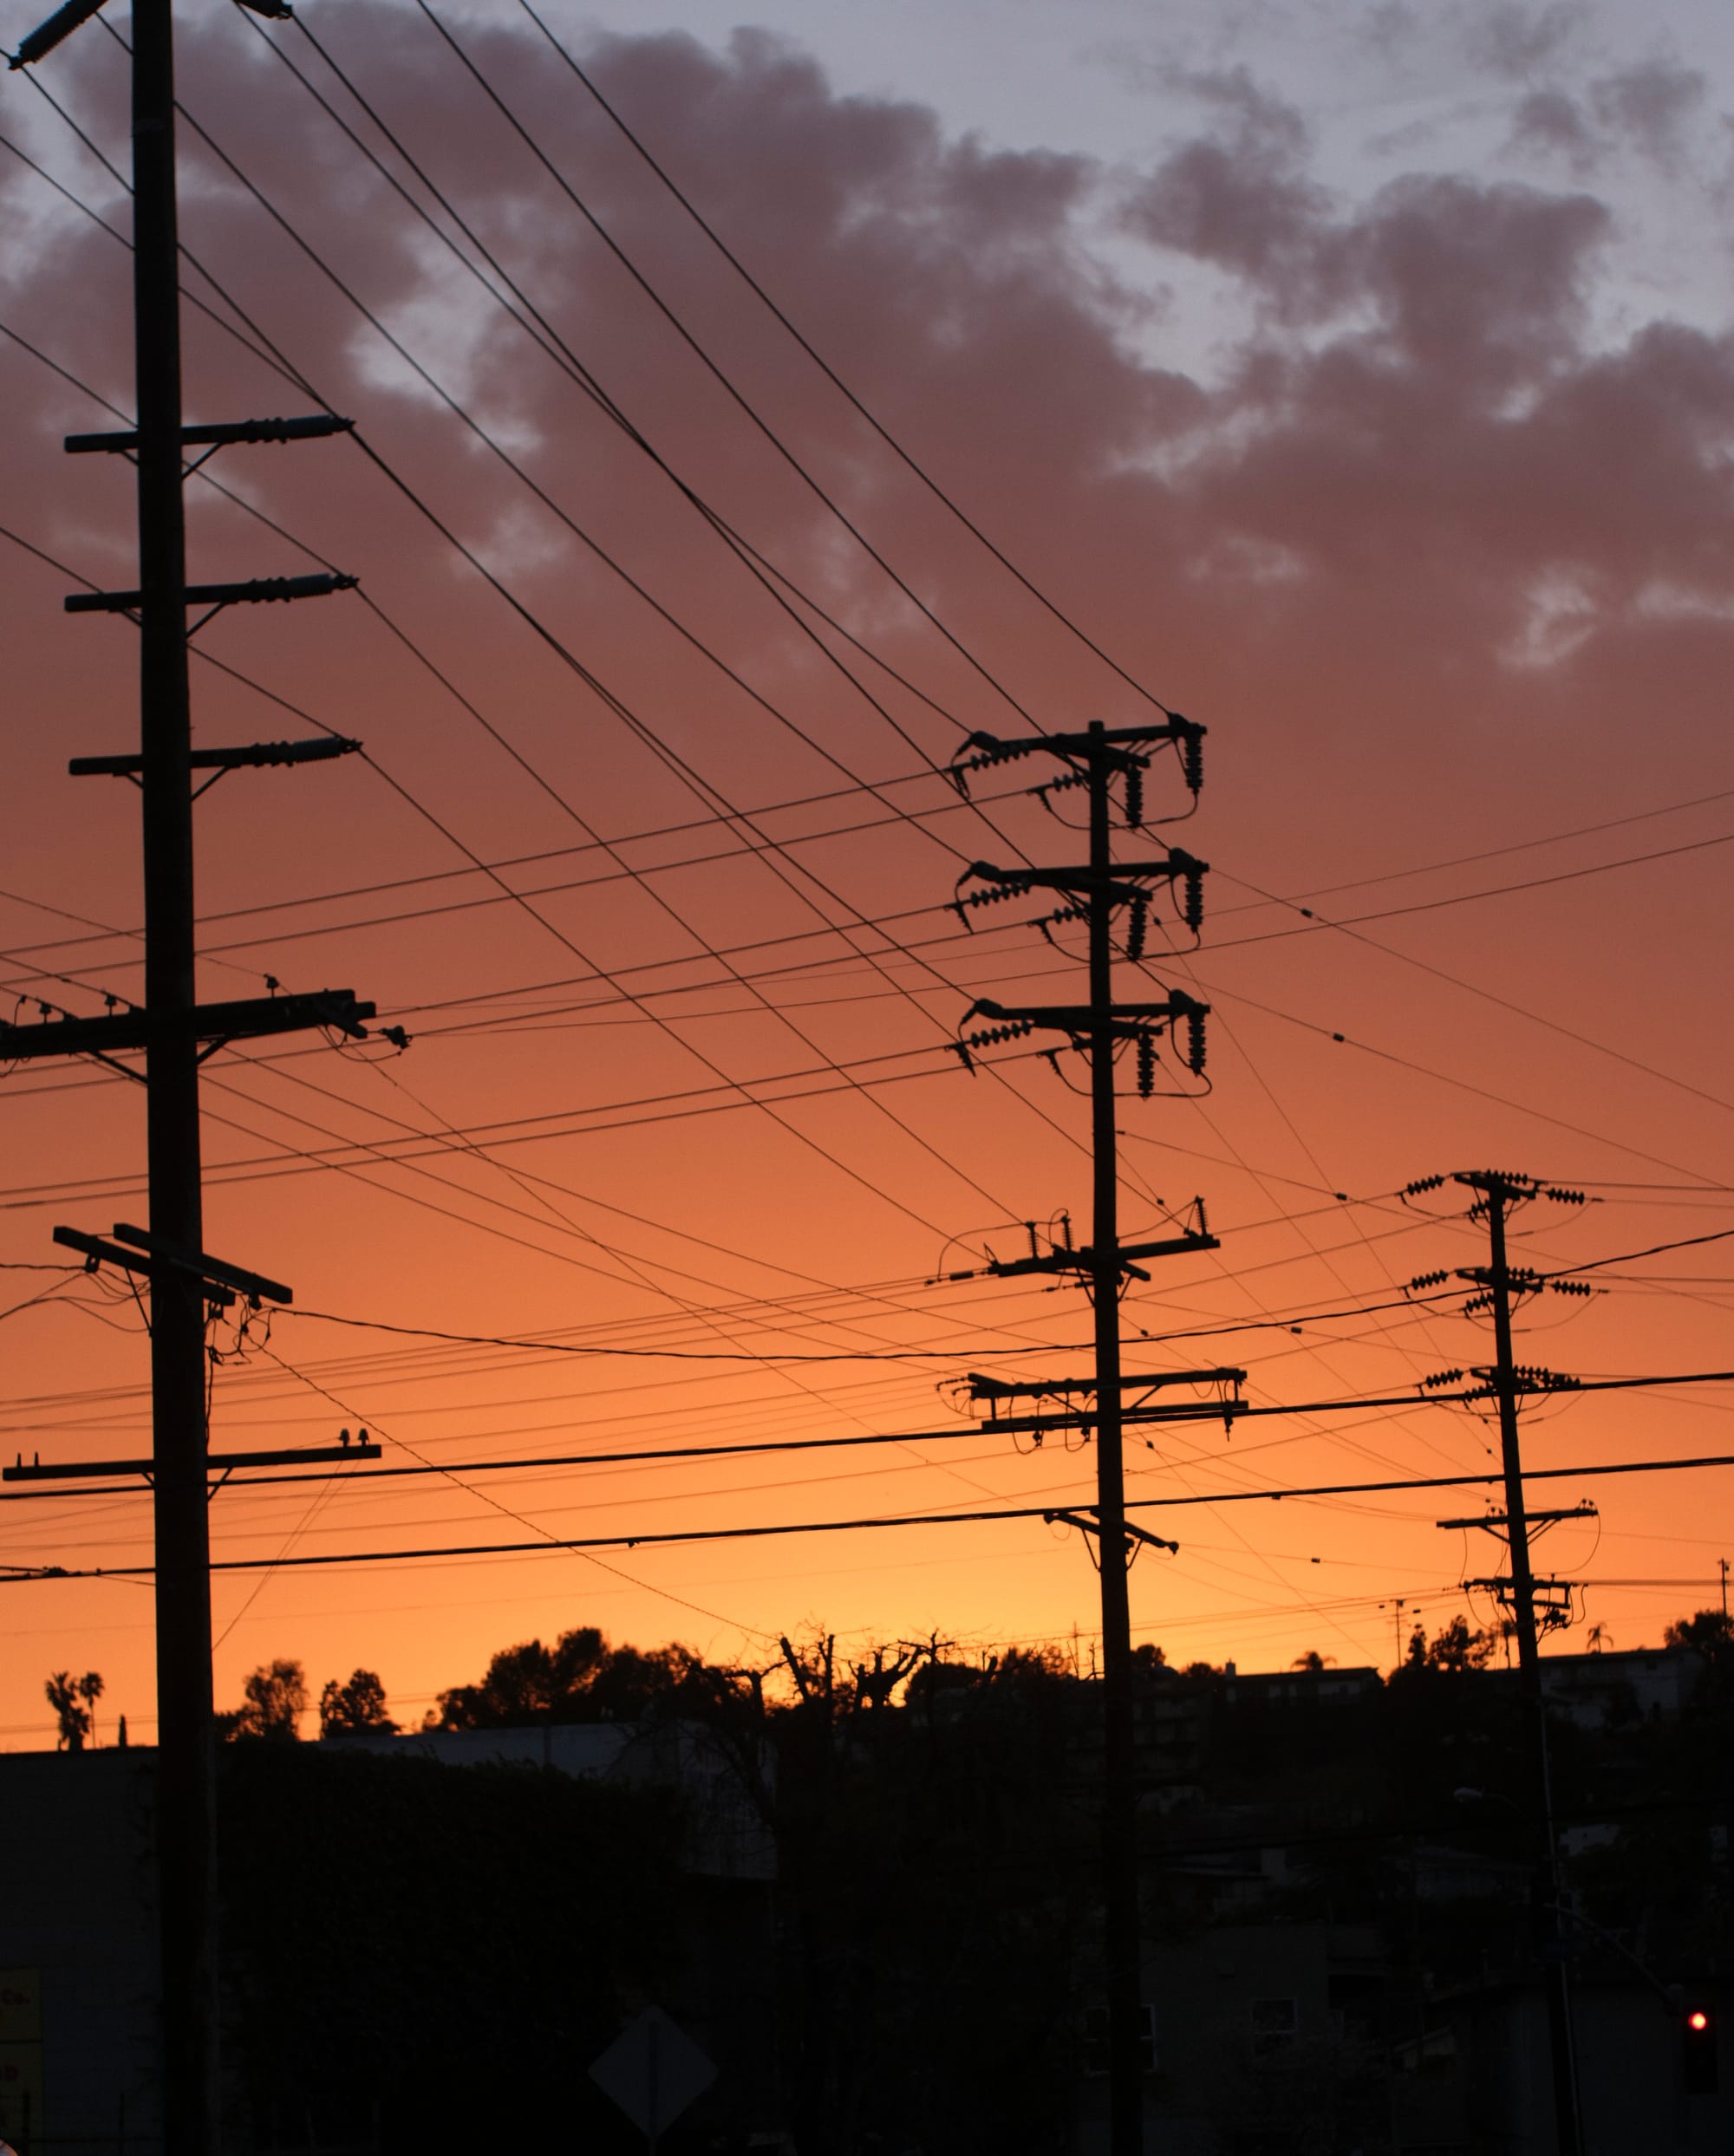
<point x="1099" y="894"/>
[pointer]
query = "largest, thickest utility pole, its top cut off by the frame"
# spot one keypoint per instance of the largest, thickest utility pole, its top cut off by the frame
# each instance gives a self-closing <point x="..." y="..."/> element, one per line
<point x="176" y="1036"/>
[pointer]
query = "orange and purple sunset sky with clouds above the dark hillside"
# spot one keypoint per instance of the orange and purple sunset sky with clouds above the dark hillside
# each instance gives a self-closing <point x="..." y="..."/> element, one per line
<point x="1355" y="378"/>
